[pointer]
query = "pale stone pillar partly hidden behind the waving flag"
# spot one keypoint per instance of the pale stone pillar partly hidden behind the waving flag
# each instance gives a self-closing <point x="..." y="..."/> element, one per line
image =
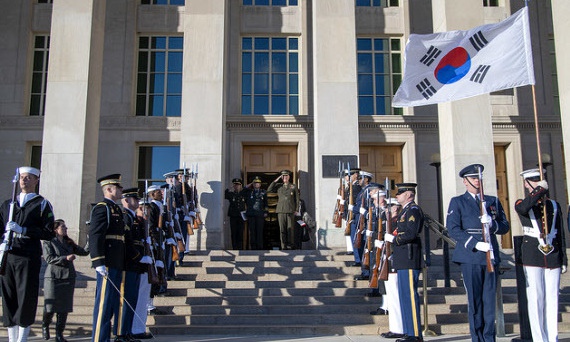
<point x="465" y="127"/>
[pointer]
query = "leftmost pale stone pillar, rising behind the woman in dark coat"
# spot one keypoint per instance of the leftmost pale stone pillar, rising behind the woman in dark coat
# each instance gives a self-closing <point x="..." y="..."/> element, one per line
<point x="73" y="100"/>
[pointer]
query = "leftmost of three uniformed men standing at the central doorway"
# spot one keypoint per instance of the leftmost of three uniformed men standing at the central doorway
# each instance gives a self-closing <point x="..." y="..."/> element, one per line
<point x="236" y="210"/>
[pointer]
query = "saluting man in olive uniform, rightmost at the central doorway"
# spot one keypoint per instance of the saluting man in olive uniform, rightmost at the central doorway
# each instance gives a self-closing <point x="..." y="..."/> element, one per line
<point x="287" y="204"/>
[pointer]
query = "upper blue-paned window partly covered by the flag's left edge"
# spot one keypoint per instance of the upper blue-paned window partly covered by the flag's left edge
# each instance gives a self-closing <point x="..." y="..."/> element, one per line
<point x="379" y="70"/>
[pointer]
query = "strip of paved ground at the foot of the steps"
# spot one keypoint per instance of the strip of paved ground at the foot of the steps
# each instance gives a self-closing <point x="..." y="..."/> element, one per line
<point x="358" y="338"/>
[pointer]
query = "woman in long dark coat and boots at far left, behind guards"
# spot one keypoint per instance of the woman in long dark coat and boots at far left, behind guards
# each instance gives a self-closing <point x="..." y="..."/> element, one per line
<point x="59" y="279"/>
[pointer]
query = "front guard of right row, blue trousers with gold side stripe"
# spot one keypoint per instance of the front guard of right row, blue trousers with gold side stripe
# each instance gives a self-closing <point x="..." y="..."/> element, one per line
<point x="407" y="259"/>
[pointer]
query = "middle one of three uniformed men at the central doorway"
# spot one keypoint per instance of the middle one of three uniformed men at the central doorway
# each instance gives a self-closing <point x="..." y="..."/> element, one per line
<point x="256" y="200"/>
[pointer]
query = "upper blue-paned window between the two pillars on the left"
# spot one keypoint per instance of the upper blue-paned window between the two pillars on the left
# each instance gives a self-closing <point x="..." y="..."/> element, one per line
<point x="159" y="78"/>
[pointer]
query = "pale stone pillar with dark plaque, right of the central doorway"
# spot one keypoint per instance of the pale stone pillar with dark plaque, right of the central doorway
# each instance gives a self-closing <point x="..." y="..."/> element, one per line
<point x="335" y="103"/>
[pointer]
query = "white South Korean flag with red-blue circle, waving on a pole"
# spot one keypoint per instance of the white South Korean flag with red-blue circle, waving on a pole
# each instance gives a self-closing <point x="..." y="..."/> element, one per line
<point x="455" y="65"/>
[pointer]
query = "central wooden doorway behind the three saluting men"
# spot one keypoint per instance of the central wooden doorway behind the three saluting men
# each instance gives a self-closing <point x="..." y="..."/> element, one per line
<point x="265" y="162"/>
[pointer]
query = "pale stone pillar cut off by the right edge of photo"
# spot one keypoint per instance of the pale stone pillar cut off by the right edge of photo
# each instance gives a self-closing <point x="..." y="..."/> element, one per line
<point x="561" y="24"/>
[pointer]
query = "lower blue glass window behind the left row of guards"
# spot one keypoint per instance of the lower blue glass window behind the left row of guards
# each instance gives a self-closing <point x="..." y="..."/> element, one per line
<point x="155" y="161"/>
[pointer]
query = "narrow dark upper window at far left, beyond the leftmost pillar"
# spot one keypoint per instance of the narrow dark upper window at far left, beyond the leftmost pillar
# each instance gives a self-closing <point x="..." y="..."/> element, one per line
<point x="39" y="75"/>
